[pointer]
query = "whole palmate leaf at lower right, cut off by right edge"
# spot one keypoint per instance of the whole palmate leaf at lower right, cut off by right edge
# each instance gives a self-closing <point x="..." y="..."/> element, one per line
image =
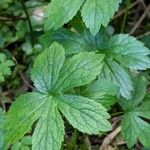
<point x="134" y="127"/>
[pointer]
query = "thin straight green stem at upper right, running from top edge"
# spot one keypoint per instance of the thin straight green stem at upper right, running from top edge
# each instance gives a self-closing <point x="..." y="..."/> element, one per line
<point x="125" y="16"/>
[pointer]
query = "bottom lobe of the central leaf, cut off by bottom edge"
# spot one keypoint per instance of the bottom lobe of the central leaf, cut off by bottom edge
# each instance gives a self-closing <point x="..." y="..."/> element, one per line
<point x="49" y="132"/>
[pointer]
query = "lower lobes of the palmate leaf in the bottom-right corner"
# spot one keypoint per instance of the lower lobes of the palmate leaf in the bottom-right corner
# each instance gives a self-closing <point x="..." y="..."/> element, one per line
<point x="133" y="128"/>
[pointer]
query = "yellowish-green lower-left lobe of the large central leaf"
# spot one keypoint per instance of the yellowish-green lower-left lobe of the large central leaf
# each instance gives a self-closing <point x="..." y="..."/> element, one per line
<point x="23" y="113"/>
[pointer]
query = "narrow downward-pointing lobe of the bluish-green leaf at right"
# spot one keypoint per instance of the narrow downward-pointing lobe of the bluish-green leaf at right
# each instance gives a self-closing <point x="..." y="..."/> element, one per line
<point x="112" y="71"/>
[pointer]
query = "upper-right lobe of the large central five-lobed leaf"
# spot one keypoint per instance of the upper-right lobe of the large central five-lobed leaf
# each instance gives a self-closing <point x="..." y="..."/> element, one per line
<point x="79" y="70"/>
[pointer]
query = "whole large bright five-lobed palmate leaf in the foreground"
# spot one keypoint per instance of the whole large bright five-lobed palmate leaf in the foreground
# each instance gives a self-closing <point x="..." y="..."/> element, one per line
<point x="43" y="106"/>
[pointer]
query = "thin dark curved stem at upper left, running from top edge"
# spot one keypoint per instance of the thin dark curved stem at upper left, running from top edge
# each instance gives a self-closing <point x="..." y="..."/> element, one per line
<point x="29" y="22"/>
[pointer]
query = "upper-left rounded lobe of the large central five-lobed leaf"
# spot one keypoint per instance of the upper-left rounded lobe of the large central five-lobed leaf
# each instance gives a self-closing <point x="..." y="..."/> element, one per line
<point x="46" y="68"/>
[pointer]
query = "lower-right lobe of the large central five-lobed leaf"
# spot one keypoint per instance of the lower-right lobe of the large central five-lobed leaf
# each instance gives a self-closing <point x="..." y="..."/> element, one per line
<point x="84" y="114"/>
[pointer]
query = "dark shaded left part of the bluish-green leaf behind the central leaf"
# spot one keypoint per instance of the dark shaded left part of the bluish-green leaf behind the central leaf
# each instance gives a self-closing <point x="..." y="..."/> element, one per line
<point x="75" y="42"/>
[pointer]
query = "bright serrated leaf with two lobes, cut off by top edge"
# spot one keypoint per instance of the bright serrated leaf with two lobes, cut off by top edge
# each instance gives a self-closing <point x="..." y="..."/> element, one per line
<point x="94" y="13"/>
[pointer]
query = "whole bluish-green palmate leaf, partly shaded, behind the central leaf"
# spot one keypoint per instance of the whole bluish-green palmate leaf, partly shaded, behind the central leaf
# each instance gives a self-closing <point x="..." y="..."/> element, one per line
<point x="122" y="52"/>
